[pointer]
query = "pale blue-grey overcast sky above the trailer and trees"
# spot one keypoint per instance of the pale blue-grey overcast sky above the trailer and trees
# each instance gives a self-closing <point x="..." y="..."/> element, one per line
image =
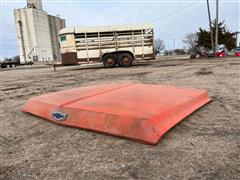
<point x="174" y="18"/>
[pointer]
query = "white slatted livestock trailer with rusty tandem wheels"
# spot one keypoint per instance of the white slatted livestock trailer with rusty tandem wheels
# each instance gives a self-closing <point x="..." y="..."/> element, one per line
<point x="111" y="45"/>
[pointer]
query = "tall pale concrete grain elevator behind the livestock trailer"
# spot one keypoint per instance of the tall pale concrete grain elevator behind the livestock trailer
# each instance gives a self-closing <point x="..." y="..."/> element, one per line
<point x="37" y="33"/>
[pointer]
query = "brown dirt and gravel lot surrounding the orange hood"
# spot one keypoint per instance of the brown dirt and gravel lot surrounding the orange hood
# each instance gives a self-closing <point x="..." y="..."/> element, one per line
<point x="206" y="145"/>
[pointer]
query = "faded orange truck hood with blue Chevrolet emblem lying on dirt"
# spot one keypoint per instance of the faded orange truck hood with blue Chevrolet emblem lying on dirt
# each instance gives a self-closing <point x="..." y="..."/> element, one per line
<point x="140" y="112"/>
